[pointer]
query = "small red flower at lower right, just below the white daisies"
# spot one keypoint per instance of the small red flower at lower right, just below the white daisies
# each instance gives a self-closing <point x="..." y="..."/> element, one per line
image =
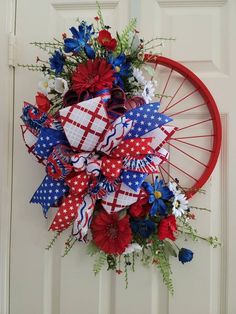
<point x="167" y="227"/>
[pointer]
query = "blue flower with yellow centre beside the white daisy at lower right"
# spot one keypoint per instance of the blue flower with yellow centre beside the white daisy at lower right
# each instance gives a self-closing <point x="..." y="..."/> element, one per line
<point x="157" y="195"/>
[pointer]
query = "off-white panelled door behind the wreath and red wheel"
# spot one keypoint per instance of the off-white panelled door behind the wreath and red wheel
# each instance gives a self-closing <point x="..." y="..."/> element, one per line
<point x="42" y="282"/>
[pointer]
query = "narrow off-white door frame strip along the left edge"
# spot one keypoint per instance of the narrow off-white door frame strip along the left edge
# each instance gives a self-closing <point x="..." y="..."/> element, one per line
<point x="7" y="27"/>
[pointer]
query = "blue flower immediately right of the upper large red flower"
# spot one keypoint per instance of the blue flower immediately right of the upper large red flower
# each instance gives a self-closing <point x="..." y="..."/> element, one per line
<point x="121" y="66"/>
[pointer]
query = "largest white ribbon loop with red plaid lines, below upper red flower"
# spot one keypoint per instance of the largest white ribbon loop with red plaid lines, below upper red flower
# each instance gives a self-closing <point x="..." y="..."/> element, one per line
<point x="85" y="123"/>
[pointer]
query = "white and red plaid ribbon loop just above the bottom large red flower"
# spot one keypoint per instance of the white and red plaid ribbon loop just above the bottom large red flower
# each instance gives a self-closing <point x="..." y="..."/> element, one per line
<point x="122" y="197"/>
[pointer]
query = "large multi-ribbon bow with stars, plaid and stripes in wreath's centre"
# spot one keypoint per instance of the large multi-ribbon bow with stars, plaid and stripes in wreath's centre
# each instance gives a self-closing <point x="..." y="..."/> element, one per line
<point x="92" y="158"/>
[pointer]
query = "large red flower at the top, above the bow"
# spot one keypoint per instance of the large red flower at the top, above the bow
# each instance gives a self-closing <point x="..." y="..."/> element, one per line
<point x="93" y="76"/>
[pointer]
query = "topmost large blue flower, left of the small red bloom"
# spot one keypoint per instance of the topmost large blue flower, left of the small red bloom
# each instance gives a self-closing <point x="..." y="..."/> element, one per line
<point x="79" y="40"/>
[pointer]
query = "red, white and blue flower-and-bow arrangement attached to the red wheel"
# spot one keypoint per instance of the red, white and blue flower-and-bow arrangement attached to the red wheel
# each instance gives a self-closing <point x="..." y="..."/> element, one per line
<point x="99" y="135"/>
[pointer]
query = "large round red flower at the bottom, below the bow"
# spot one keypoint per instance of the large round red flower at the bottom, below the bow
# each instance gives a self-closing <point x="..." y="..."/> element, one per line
<point x="110" y="233"/>
